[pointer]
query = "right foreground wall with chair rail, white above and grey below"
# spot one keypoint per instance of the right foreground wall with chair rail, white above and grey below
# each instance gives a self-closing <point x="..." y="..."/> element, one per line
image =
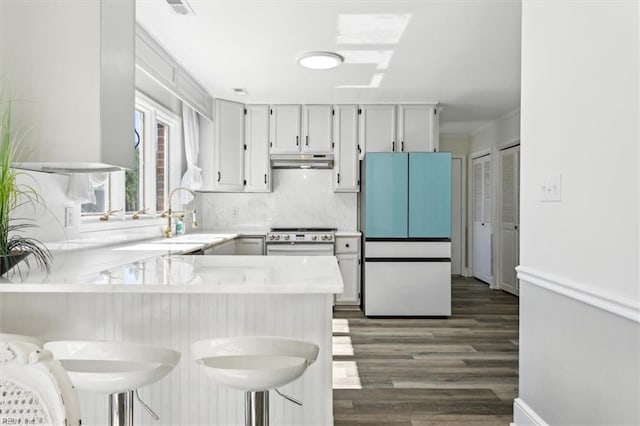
<point x="580" y="332"/>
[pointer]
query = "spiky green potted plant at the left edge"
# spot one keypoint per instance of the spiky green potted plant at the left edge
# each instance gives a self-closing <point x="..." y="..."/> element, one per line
<point x="14" y="246"/>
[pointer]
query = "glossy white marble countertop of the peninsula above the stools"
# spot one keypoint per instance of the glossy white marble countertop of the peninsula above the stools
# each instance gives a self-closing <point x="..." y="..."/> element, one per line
<point x="192" y="274"/>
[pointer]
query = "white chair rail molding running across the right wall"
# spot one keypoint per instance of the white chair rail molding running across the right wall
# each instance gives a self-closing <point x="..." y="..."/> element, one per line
<point x="626" y="308"/>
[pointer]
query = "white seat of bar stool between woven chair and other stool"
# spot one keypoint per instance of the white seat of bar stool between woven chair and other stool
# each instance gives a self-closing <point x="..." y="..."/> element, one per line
<point x="112" y="367"/>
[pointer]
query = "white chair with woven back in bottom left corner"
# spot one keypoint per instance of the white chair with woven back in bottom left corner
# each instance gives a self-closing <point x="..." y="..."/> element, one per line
<point x="34" y="388"/>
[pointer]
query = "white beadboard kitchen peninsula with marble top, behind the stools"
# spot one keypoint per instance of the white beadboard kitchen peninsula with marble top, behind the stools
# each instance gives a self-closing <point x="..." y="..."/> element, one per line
<point x="174" y="300"/>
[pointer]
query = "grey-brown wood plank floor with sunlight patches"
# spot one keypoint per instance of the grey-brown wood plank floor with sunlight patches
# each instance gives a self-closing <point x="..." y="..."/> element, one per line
<point x="419" y="371"/>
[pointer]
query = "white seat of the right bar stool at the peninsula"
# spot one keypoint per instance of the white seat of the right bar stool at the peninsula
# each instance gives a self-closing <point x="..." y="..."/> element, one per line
<point x="254" y="363"/>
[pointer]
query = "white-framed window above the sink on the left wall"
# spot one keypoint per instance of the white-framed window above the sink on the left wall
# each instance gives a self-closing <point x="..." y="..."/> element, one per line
<point x="157" y="166"/>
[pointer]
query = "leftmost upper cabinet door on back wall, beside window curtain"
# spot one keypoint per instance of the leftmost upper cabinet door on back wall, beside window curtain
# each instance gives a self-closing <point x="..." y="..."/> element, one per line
<point x="229" y="146"/>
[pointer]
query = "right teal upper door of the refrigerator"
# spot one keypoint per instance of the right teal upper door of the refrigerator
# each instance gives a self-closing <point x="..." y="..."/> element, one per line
<point x="430" y="195"/>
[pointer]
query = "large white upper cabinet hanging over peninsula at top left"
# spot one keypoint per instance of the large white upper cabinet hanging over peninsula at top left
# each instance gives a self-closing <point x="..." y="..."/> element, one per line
<point x="71" y="65"/>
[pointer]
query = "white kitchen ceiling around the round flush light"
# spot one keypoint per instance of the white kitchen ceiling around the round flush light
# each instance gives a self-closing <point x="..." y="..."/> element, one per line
<point x="465" y="54"/>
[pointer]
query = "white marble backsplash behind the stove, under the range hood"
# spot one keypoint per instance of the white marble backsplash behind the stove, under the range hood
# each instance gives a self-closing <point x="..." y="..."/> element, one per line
<point x="299" y="198"/>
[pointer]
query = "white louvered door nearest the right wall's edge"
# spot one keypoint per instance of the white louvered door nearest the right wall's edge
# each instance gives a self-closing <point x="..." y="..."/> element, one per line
<point x="509" y="218"/>
